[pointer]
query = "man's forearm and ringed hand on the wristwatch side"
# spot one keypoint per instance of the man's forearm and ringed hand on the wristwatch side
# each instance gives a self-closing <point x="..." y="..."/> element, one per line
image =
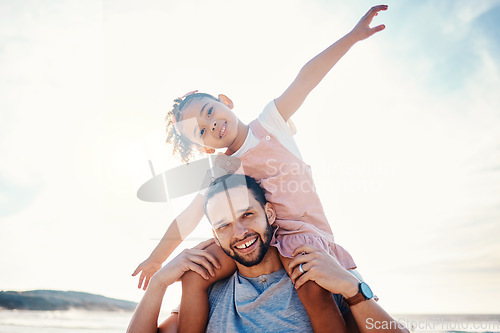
<point x="325" y="270"/>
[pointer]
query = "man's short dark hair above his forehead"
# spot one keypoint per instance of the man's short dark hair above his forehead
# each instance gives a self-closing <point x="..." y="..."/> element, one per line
<point x="226" y="182"/>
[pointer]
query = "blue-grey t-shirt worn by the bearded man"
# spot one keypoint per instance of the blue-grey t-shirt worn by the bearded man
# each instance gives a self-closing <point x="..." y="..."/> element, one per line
<point x="268" y="303"/>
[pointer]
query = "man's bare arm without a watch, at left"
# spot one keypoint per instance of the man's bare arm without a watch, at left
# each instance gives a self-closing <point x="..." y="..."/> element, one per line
<point x="145" y="318"/>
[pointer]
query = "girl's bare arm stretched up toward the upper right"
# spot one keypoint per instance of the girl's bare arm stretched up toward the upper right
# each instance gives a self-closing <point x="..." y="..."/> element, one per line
<point x="316" y="69"/>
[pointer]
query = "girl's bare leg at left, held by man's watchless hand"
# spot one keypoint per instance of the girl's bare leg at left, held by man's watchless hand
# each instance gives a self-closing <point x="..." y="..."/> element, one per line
<point x="194" y="309"/>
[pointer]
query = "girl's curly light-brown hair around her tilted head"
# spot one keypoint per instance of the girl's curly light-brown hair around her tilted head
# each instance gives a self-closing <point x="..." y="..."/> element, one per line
<point x="182" y="146"/>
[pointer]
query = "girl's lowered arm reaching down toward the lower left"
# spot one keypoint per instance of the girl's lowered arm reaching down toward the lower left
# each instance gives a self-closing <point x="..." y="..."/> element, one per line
<point x="188" y="219"/>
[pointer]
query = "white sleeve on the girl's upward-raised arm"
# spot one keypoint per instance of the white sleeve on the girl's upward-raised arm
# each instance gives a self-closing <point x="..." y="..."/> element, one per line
<point x="273" y="122"/>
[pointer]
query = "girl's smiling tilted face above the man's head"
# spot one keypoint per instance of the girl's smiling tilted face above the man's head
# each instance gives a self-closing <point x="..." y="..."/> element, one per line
<point x="209" y="123"/>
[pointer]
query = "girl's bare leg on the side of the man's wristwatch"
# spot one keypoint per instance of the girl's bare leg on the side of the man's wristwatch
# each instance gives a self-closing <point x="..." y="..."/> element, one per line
<point x="323" y="312"/>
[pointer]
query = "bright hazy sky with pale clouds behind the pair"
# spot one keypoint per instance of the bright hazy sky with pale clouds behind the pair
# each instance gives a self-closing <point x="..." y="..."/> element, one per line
<point x="403" y="135"/>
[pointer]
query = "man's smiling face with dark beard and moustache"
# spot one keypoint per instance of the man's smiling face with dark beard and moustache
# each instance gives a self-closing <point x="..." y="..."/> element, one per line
<point x="241" y="225"/>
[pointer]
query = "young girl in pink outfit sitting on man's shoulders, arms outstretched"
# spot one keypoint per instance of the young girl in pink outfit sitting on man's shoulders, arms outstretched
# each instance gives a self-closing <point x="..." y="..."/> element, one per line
<point x="264" y="150"/>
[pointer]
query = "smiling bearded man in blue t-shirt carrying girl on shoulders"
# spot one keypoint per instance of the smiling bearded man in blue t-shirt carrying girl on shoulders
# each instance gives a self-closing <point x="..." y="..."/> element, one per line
<point x="259" y="296"/>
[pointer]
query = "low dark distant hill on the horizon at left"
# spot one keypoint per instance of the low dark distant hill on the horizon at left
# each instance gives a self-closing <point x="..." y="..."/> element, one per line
<point x="61" y="300"/>
